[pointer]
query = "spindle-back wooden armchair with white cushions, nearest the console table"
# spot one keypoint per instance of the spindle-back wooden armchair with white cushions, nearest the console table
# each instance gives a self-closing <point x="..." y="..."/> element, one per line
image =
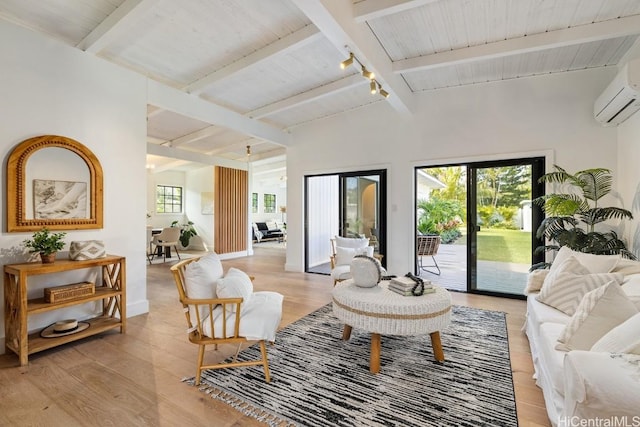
<point x="213" y="320"/>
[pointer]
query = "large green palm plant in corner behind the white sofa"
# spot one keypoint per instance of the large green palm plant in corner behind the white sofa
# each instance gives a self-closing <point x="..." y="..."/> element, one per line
<point x="572" y="217"/>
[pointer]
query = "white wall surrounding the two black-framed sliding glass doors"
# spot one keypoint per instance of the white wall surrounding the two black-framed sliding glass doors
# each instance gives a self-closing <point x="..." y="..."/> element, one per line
<point x="547" y="114"/>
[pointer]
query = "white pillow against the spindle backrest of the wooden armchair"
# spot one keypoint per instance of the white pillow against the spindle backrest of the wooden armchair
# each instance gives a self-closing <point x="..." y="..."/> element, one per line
<point x="200" y="279"/>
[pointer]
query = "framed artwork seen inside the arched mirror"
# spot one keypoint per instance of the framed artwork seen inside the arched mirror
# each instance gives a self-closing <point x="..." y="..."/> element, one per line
<point x="59" y="199"/>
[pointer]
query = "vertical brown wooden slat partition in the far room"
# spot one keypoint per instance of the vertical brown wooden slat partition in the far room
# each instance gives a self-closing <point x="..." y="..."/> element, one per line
<point x="231" y="209"/>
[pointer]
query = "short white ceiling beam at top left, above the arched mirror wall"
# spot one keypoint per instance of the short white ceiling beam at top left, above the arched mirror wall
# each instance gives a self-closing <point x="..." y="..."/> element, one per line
<point x="115" y="25"/>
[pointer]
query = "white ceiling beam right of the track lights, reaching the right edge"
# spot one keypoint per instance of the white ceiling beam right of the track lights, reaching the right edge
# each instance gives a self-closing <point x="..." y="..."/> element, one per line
<point x="620" y="27"/>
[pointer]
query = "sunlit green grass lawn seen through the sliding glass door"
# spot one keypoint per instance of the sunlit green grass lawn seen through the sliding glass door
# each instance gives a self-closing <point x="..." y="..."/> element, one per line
<point x="496" y="244"/>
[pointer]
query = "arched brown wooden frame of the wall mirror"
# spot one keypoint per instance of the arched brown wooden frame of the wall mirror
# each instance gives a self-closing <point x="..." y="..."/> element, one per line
<point x="16" y="177"/>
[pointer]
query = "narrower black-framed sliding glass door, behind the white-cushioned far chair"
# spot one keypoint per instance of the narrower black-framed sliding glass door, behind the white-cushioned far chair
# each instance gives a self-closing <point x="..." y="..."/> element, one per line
<point x="347" y="204"/>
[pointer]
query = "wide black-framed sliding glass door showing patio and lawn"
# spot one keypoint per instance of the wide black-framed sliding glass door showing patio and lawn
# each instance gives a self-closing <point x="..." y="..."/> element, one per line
<point x="486" y="223"/>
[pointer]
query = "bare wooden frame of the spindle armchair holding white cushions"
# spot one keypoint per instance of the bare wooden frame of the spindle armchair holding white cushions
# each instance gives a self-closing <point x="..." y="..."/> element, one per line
<point x="196" y="329"/>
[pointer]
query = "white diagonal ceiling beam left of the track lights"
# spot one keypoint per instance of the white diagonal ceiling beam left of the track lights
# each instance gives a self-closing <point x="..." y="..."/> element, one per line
<point x="287" y="44"/>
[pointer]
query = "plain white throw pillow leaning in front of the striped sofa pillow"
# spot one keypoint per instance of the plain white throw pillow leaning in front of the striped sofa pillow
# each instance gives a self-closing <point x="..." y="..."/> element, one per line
<point x="599" y="311"/>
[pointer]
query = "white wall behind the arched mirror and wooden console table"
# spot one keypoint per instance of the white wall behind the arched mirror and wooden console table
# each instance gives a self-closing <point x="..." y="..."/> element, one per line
<point x="49" y="88"/>
